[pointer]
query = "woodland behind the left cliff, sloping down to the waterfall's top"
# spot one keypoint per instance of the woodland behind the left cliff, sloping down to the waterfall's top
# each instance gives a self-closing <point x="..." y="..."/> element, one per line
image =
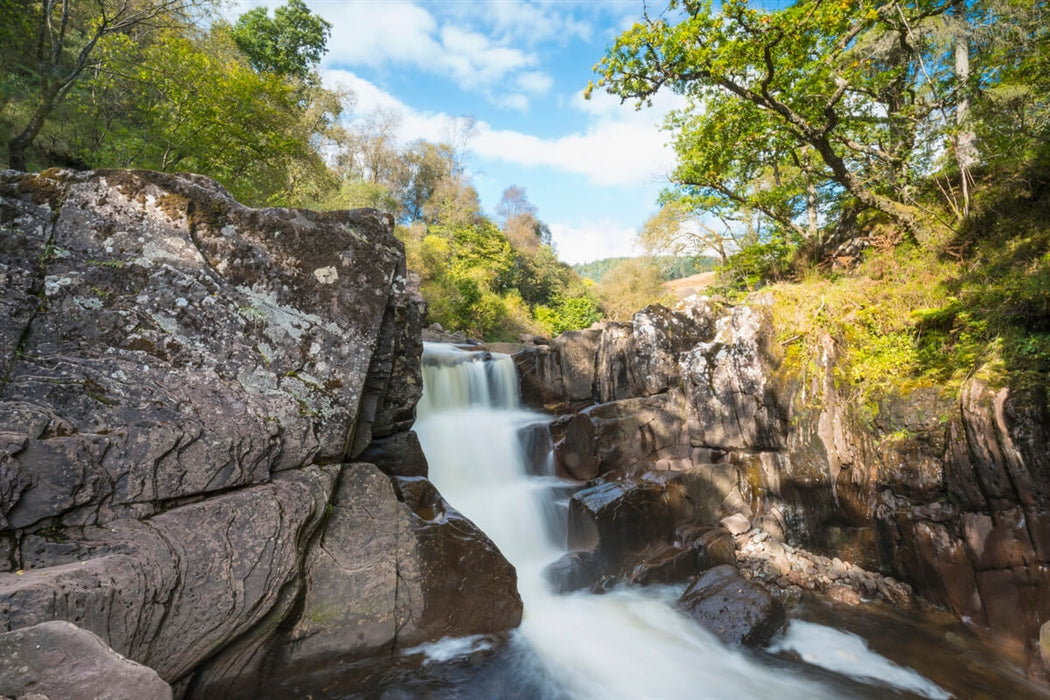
<point x="170" y="86"/>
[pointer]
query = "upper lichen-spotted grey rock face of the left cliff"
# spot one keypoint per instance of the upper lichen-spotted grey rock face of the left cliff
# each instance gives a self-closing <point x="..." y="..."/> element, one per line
<point x="175" y="343"/>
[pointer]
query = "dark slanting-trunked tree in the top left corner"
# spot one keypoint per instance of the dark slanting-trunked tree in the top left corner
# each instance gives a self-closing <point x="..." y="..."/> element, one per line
<point x="68" y="38"/>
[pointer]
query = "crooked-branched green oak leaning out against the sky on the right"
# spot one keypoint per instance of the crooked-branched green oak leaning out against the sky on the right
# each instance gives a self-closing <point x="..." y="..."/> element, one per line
<point x="818" y="98"/>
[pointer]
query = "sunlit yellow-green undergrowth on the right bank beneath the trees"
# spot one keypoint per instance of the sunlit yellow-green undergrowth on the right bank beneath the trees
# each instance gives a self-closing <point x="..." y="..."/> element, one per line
<point x="936" y="314"/>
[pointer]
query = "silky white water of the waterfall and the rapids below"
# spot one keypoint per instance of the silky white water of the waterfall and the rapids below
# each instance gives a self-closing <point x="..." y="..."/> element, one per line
<point x="631" y="643"/>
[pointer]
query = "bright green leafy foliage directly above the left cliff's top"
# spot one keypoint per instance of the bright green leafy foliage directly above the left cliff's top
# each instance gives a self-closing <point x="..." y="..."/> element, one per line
<point x="167" y="96"/>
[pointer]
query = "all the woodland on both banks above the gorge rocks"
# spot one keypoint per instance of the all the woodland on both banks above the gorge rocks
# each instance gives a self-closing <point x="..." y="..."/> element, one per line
<point x="885" y="163"/>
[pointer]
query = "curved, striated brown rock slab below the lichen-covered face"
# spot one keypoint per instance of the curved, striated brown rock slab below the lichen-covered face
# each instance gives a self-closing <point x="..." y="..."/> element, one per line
<point x="172" y="590"/>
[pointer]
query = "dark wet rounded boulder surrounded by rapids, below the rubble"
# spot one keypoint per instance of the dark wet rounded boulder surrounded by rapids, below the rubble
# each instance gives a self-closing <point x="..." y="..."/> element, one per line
<point x="734" y="609"/>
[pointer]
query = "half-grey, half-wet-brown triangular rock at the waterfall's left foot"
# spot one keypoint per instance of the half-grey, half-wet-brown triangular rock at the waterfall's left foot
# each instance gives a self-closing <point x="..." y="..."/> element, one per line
<point x="418" y="570"/>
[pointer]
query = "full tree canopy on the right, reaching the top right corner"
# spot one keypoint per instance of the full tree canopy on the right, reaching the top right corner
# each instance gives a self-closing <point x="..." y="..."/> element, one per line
<point x="801" y="115"/>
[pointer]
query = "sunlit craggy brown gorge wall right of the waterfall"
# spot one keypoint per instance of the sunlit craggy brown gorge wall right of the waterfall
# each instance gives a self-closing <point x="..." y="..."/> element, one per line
<point x="698" y="411"/>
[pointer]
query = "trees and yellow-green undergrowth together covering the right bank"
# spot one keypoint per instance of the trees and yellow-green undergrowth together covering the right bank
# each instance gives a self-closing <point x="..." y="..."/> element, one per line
<point x="884" y="168"/>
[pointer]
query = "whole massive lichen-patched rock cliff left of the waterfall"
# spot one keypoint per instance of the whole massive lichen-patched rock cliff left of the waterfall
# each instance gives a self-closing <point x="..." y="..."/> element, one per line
<point x="206" y="456"/>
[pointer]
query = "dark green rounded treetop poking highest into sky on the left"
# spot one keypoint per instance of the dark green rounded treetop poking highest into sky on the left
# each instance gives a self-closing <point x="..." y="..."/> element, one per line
<point x="291" y="44"/>
